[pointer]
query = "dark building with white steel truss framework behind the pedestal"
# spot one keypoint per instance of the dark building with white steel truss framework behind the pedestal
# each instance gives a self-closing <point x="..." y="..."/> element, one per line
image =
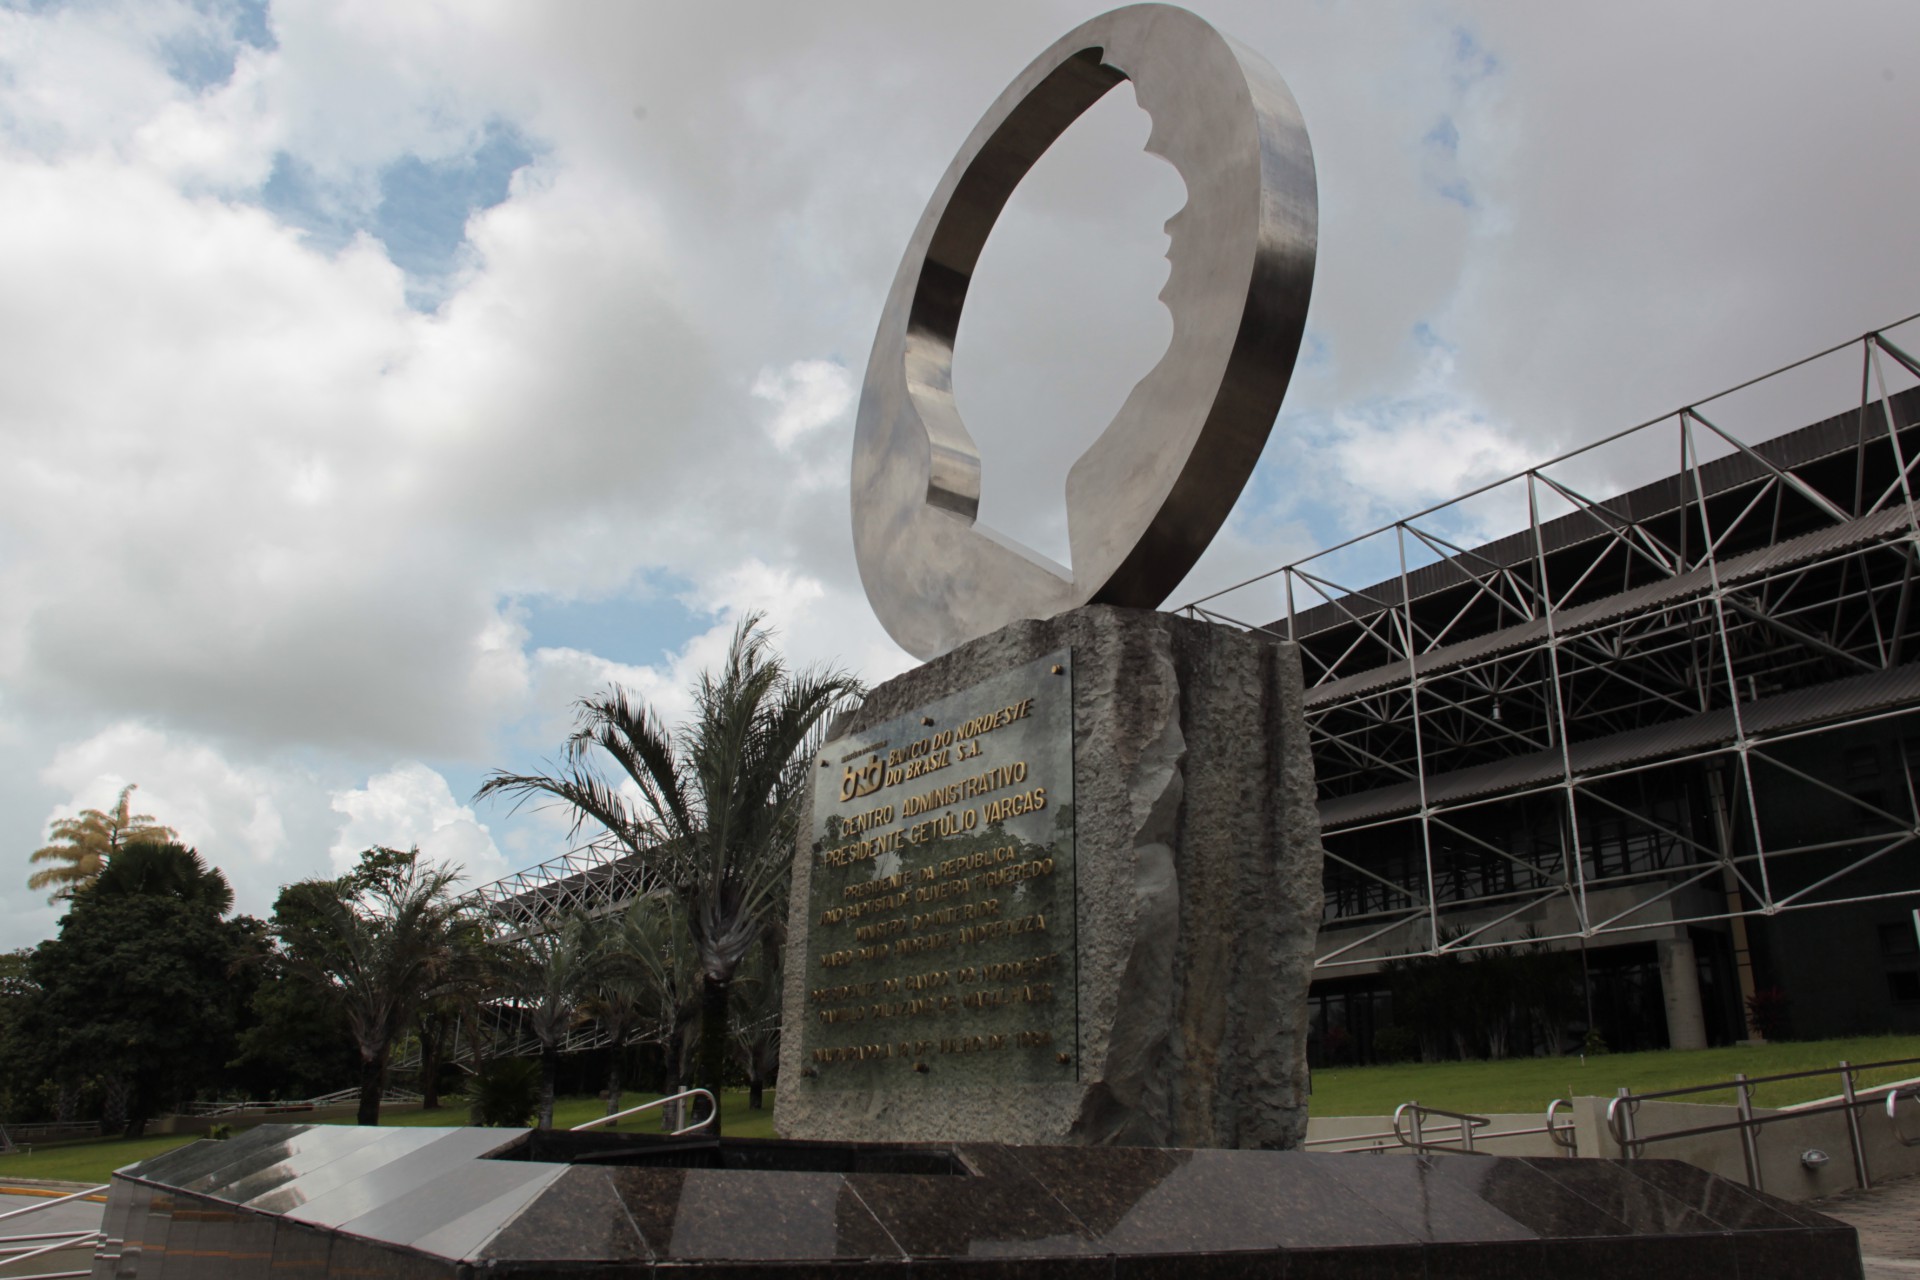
<point x="1671" y="723"/>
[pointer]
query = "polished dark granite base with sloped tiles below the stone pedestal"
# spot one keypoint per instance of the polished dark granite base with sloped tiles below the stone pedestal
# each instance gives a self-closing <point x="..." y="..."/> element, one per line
<point x="443" y="1204"/>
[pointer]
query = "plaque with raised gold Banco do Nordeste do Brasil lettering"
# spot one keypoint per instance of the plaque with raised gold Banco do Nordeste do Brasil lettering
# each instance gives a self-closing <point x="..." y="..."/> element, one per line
<point x="942" y="897"/>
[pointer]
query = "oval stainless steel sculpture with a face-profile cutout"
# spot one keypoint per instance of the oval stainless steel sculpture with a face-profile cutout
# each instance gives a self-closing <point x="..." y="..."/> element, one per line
<point x="1149" y="496"/>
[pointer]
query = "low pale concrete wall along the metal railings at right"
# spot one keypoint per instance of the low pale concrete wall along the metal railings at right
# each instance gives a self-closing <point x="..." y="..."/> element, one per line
<point x="1781" y="1141"/>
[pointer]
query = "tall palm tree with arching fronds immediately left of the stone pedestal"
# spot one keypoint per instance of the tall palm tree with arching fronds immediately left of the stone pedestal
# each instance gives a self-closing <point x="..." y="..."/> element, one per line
<point x="719" y="801"/>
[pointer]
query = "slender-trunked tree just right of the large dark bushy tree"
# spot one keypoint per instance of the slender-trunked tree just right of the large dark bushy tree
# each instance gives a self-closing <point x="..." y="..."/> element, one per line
<point x="377" y="941"/>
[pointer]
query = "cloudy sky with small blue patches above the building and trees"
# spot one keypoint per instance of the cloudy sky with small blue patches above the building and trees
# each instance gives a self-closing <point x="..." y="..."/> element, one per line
<point x="381" y="377"/>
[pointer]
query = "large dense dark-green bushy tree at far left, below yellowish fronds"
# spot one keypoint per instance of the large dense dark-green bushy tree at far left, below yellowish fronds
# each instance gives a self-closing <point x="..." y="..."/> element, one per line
<point x="147" y="982"/>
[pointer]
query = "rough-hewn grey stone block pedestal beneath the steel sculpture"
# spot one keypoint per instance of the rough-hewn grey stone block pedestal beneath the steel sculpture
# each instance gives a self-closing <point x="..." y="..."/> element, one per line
<point x="1195" y="897"/>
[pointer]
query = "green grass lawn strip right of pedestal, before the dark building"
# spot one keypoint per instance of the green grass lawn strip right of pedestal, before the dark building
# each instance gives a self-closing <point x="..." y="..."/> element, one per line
<point x="1531" y="1083"/>
